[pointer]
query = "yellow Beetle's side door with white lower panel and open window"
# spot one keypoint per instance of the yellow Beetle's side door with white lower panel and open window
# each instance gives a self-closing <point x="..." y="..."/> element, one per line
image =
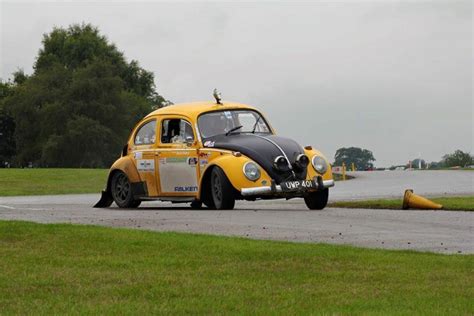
<point x="177" y="158"/>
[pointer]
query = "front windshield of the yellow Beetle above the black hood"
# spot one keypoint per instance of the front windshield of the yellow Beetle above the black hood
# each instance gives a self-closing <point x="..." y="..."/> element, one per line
<point x="226" y="122"/>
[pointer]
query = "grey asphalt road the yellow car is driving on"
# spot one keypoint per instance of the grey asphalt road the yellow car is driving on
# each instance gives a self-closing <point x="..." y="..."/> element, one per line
<point x="437" y="231"/>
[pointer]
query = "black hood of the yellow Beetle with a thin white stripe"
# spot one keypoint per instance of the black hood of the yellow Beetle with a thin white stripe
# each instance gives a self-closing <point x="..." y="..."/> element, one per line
<point x="262" y="149"/>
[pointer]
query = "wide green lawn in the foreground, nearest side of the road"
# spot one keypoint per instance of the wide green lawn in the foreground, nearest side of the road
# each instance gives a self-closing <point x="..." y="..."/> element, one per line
<point x="57" y="269"/>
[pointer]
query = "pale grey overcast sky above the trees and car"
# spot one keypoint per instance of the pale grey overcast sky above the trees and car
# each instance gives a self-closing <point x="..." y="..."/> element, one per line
<point x="394" y="77"/>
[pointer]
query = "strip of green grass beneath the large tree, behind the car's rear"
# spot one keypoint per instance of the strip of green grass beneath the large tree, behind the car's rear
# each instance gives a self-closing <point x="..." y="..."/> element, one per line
<point x="51" y="181"/>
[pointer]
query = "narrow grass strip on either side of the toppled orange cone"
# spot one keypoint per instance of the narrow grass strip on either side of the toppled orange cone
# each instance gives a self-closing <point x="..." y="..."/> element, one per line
<point x="463" y="203"/>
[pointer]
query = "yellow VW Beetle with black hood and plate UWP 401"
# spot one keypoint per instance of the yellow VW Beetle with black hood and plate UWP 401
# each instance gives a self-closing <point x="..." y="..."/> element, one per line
<point x="214" y="153"/>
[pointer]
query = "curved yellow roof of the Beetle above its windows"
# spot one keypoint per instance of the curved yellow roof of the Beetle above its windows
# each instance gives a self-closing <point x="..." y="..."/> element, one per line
<point x="194" y="109"/>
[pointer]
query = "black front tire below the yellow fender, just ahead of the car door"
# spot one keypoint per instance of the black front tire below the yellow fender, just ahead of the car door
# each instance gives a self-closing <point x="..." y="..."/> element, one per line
<point x="222" y="191"/>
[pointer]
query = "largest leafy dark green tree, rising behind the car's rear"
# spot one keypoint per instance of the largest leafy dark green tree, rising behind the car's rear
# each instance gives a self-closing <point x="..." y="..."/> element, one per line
<point x="77" y="108"/>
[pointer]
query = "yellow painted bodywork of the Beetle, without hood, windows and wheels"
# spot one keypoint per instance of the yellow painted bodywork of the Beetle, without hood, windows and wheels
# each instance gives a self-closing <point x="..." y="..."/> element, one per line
<point x="199" y="158"/>
